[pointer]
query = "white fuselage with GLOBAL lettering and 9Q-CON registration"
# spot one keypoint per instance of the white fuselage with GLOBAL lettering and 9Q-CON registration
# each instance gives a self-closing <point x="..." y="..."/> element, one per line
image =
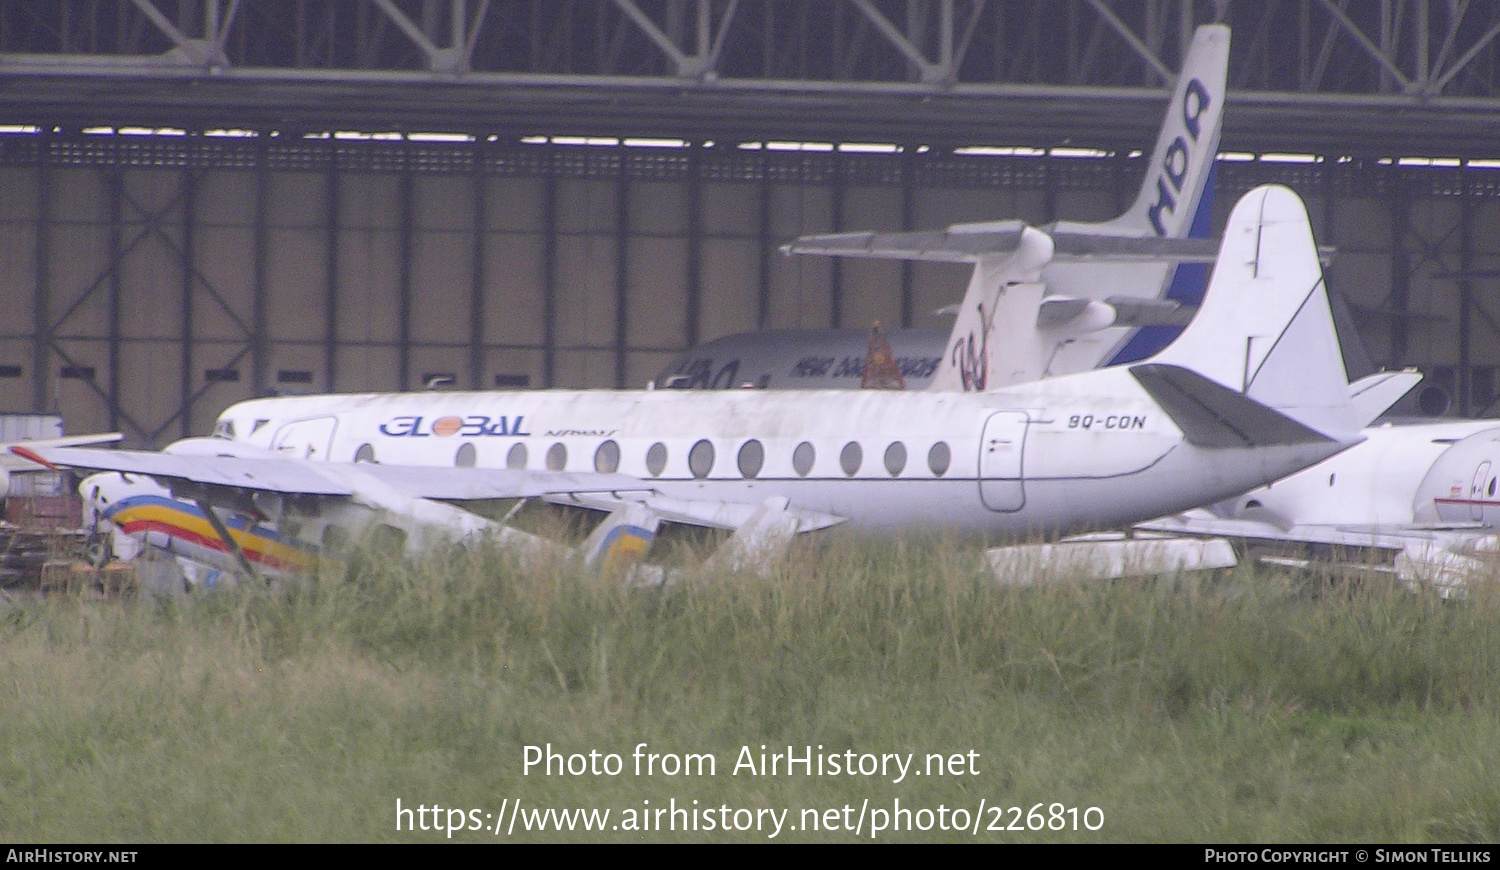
<point x="1088" y="452"/>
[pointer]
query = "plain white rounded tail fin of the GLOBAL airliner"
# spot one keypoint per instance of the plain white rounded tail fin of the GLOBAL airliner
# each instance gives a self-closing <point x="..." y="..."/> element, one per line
<point x="1265" y="328"/>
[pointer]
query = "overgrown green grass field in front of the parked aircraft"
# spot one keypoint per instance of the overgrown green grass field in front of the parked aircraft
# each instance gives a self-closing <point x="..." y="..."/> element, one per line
<point x="1244" y="707"/>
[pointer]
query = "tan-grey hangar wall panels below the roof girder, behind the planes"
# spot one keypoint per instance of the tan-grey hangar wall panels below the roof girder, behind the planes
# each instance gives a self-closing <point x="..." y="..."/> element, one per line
<point x="151" y="281"/>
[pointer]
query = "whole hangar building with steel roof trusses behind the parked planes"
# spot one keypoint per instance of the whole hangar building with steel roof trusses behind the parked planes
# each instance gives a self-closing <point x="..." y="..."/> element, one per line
<point x="211" y="200"/>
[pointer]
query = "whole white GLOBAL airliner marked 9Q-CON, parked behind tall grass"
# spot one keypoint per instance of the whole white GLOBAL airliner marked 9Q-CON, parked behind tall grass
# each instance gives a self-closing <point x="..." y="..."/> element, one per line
<point x="1253" y="391"/>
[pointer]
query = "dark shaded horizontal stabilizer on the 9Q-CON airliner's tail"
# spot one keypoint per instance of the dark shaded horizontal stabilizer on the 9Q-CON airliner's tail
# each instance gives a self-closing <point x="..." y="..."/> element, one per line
<point x="1214" y="416"/>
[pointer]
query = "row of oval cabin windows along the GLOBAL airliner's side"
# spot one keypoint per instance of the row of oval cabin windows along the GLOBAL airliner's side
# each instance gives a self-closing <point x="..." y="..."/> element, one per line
<point x="701" y="458"/>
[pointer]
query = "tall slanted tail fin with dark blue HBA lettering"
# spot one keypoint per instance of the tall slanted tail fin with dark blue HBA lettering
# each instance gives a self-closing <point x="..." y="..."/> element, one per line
<point x="1186" y="148"/>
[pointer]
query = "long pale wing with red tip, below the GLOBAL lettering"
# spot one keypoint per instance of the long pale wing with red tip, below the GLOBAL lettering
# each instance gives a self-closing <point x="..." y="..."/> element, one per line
<point x="302" y="478"/>
